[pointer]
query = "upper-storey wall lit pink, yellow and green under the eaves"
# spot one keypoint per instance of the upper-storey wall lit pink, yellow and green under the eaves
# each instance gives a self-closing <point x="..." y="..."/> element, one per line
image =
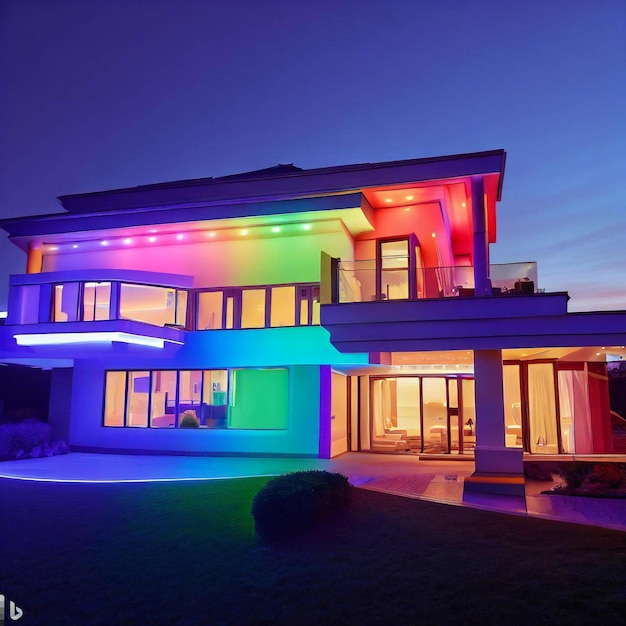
<point x="222" y="263"/>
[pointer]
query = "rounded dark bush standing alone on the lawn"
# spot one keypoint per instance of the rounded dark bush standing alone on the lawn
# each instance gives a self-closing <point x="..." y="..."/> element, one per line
<point x="291" y="503"/>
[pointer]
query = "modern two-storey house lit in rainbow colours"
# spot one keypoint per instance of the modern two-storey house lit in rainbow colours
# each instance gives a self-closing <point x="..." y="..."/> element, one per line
<point x="307" y="312"/>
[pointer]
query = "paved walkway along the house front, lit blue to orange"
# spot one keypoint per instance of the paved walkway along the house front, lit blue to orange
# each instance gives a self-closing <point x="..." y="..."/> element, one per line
<point x="436" y="480"/>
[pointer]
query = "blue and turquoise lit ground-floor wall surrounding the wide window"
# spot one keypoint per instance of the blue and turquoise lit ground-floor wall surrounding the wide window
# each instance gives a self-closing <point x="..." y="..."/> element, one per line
<point x="302" y="350"/>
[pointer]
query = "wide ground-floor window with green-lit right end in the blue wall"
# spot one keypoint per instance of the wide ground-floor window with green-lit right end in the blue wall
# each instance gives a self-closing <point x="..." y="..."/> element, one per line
<point x="252" y="399"/>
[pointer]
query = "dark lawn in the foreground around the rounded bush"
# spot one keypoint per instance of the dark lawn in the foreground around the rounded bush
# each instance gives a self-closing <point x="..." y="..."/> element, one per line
<point x="186" y="553"/>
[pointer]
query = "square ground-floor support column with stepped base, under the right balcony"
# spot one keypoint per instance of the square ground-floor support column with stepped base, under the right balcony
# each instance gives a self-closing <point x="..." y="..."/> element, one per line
<point x="498" y="469"/>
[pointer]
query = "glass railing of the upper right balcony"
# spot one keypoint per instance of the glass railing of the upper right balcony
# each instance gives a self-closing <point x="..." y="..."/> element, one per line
<point x="364" y="281"/>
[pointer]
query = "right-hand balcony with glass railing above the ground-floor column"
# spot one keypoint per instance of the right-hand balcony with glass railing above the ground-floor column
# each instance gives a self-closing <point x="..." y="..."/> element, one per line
<point x="389" y="307"/>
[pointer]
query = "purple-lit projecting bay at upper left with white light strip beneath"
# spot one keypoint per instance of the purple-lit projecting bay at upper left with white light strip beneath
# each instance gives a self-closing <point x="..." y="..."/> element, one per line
<point x="57" y="312"/>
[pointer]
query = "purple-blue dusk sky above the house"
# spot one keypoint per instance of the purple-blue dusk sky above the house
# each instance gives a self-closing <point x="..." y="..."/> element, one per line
<point x="102" y="94"/>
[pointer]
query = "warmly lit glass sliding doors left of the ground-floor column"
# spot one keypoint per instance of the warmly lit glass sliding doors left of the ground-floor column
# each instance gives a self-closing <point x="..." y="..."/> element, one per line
<point x="423" y="414"/>
